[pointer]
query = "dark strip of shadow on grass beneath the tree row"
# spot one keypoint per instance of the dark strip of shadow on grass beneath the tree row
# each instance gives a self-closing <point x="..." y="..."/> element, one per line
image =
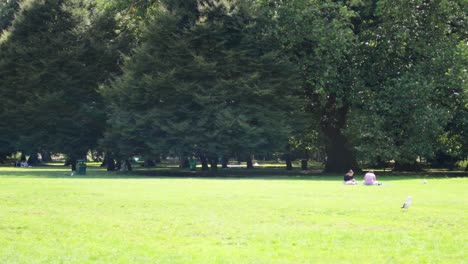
<point x="230" y="173"/>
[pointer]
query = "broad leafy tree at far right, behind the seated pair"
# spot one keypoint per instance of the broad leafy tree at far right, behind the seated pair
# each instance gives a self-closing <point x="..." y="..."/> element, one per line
<point x="405" y="99"/>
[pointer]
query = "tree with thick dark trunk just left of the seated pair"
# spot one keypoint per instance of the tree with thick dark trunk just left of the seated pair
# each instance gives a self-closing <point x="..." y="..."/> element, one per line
<point x="318" y="37"/>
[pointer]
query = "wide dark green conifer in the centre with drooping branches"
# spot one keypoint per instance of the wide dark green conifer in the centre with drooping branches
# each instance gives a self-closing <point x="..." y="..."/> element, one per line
<point x="205" y="82"/>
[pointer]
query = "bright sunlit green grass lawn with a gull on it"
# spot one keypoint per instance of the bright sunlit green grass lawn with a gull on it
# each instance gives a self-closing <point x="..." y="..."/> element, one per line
<point x="46" y="216"/>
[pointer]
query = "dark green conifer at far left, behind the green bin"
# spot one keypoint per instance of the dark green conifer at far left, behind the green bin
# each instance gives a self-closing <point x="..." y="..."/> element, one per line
<point x="52" y="61"/>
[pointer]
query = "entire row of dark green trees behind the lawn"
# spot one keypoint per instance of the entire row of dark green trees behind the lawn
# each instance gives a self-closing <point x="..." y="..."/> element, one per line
<point x="362" y="81"/>
